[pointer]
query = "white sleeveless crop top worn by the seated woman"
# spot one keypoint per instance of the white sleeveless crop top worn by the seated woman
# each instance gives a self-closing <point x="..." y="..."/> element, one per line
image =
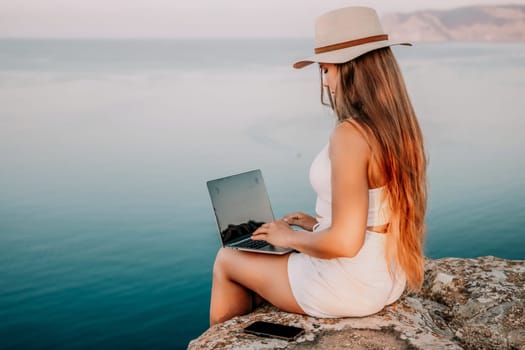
<point x="320" y="178"/>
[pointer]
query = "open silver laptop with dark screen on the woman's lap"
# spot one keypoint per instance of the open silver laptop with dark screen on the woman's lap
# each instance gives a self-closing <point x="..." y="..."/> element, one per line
<point x="241" y="204"/>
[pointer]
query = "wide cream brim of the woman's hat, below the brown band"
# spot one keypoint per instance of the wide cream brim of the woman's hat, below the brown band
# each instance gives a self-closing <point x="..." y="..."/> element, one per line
<point x="346" y="54"/>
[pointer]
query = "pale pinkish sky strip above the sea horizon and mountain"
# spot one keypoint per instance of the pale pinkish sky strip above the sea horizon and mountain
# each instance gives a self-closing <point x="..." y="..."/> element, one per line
<point x="188" y="18"/>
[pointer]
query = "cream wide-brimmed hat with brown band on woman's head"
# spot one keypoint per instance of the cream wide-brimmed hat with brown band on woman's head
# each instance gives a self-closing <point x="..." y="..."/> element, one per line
<point x="344" y="34"/>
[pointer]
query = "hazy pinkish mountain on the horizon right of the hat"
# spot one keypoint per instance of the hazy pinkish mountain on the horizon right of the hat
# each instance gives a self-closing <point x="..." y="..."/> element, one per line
<point x="473" y="23"/>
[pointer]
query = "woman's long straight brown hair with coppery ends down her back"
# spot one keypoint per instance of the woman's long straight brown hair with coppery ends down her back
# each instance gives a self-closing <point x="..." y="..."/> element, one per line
<point x="371" y="92"/>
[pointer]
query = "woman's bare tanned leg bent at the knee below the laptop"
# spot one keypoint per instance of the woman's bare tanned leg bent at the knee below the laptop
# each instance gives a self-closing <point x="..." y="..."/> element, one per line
<point x="236" y="274"/>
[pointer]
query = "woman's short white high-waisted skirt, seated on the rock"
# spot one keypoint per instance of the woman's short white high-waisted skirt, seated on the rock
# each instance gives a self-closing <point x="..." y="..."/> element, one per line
<point x="345" y="287"/>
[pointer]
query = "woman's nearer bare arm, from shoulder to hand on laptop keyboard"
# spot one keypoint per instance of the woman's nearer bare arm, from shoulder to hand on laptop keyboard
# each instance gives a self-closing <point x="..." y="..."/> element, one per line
<point x="349" y="155"/>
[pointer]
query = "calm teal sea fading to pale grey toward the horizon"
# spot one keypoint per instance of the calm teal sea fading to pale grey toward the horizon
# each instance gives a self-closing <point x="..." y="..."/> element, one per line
<point x="107" y="237"/>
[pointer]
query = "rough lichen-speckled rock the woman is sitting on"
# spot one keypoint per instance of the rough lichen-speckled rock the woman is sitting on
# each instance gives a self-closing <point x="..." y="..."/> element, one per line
<point x="464" y="304"/>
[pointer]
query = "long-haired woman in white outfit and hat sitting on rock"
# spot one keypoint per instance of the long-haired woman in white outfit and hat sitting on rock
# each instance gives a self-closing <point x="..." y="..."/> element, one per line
<point x="365" y="244"/>
